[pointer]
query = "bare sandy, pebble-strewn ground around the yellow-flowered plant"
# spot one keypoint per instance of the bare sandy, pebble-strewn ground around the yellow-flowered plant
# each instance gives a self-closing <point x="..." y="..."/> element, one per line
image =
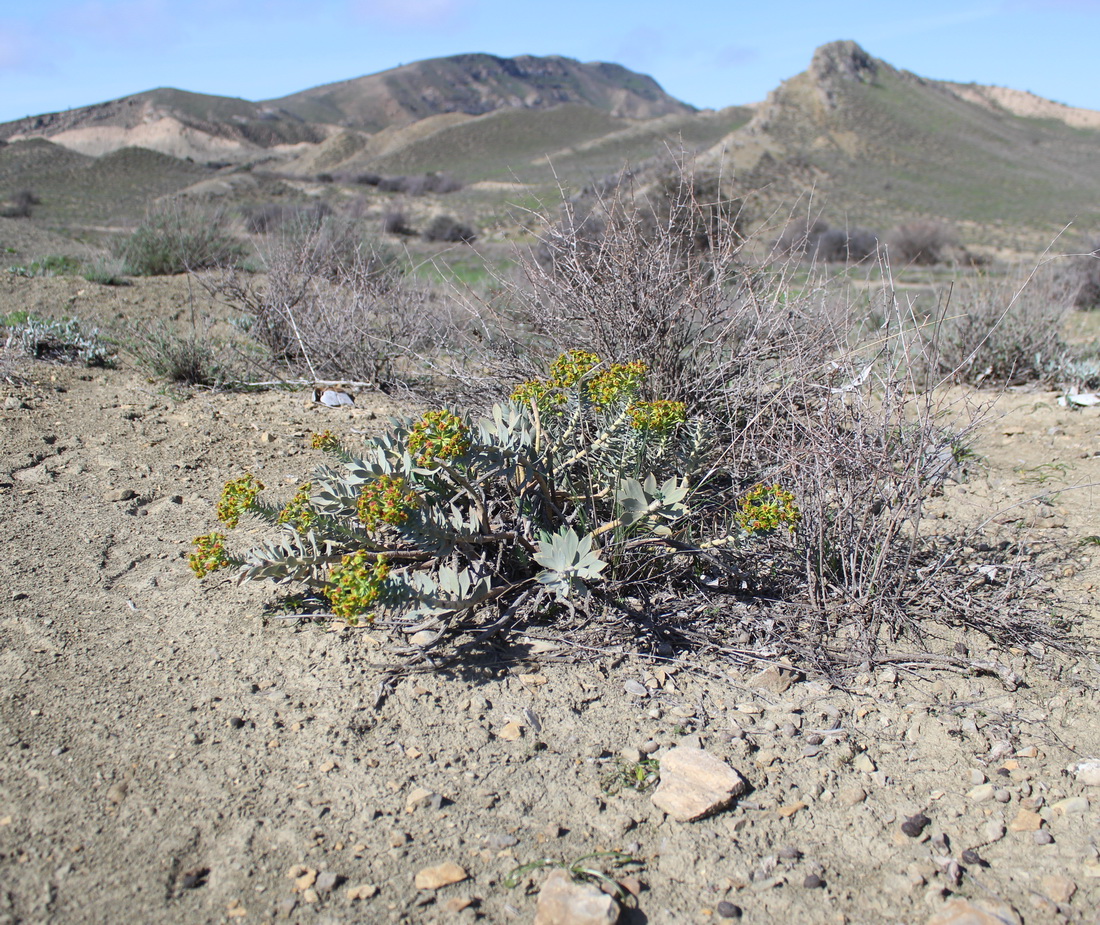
<point x="172" y="753"/>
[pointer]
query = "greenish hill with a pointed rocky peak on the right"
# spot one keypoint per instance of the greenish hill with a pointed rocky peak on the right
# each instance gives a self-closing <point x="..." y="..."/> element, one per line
<point x="875" y="144"/>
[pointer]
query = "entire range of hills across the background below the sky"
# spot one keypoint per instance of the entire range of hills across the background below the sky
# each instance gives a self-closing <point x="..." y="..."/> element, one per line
<point x="867" y="144"/>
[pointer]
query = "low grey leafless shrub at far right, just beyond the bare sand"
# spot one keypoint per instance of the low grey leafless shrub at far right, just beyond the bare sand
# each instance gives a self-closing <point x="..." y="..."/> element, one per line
<point x="1000" y="332"/>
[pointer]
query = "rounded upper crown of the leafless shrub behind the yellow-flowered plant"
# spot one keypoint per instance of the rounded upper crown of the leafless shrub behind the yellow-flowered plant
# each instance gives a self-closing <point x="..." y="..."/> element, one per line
<point x="650" y="276"/>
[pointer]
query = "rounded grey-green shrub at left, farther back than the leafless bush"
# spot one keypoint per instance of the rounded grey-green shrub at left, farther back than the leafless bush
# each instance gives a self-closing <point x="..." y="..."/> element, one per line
<point x="179" y="237"/>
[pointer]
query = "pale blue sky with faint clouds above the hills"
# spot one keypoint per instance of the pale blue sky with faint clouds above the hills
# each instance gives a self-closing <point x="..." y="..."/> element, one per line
<point x="57" y="54"/>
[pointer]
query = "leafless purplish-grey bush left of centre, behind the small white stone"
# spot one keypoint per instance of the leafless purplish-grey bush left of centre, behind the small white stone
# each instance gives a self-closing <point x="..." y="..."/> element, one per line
<point x="332" y="313"/>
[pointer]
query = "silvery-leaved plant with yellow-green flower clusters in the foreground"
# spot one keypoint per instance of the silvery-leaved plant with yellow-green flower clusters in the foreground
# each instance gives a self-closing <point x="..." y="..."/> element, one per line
<point x="566" y="492"/>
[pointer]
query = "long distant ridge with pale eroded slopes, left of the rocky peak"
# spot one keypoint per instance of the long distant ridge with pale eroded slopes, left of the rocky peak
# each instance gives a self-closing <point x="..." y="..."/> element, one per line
<point x="224" y="129"/>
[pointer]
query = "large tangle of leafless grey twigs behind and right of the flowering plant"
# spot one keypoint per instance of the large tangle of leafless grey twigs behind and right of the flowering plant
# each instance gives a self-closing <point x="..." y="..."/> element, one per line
<point x="793" y="394"/>
